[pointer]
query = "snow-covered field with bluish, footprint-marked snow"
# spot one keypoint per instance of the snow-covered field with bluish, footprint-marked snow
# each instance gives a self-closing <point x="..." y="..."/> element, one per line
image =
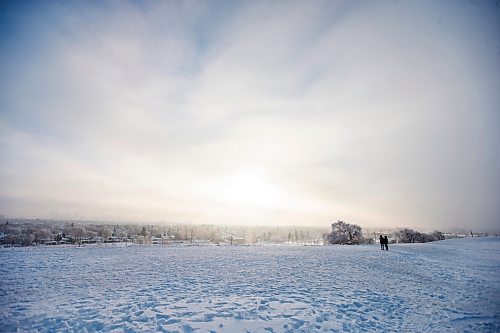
<point x="446" y="286"/>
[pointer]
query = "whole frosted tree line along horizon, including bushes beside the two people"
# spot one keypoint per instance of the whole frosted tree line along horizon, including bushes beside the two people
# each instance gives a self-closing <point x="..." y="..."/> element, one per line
<point x="32" y="232"/>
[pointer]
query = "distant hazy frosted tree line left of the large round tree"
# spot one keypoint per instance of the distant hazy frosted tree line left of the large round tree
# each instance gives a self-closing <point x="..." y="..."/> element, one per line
<point x="32" y="232"/>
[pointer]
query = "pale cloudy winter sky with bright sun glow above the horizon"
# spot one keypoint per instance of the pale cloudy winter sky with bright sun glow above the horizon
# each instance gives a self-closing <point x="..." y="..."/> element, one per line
<point x="378" y="113"/>
